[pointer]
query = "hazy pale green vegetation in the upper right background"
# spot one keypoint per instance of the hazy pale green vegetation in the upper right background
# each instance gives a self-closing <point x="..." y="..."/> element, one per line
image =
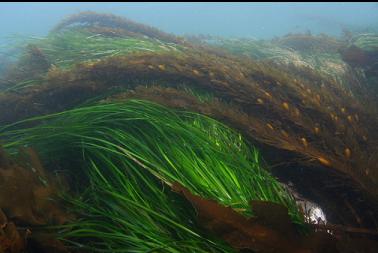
<point x="341" y="58"/>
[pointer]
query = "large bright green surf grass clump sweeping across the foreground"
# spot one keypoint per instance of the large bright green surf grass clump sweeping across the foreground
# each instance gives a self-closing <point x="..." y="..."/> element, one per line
<point x="131" y="152"/>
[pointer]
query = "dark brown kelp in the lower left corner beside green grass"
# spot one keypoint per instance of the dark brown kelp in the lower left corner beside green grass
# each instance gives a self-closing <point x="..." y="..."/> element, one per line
<point x="27" y="202"/>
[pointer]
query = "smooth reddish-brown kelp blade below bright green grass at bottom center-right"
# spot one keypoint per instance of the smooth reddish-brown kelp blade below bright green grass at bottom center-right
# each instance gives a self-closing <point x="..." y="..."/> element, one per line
<point x="256" y="234"/>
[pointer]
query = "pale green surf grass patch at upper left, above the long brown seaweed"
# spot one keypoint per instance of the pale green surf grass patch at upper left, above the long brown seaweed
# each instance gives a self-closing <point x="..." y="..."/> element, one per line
<point x="75" y="45"/>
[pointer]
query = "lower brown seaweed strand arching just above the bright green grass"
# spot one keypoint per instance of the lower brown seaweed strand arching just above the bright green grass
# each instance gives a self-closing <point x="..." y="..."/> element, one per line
<point x="266" y="130"/>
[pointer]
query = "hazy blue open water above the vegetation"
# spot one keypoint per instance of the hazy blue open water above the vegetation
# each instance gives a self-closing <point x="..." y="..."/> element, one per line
<point x="258" y="20"/>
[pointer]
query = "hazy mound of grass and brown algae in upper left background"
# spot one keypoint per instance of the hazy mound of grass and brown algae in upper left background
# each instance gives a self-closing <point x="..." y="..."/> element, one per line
<point x="63" y="48"/>
